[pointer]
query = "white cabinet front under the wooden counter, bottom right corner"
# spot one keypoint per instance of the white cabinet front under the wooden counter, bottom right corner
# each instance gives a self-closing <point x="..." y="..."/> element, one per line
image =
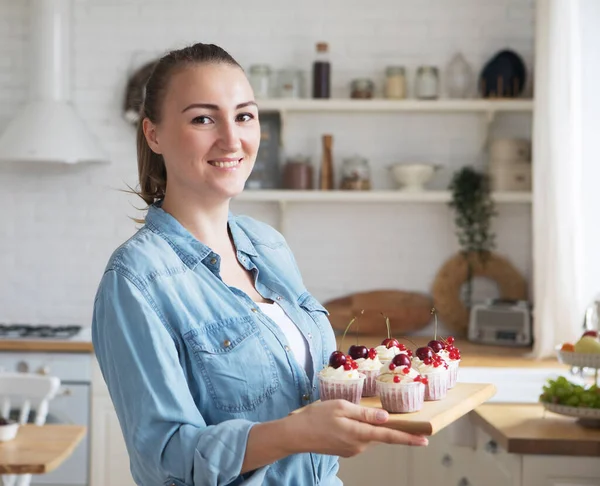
<point x="560" y="471"/>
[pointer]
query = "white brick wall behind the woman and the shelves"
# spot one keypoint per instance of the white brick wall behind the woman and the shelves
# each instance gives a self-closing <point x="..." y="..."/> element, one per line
<point x="59" y="225"/>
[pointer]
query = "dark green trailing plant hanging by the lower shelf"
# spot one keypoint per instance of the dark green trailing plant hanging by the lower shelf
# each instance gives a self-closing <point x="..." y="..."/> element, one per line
<point x="473" y="212"/>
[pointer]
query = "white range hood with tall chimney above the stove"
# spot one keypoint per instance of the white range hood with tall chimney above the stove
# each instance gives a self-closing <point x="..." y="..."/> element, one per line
<point x="48" y="129"/>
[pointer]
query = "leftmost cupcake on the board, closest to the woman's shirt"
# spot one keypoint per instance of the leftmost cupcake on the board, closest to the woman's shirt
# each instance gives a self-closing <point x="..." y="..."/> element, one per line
<point x="341" y="379"/>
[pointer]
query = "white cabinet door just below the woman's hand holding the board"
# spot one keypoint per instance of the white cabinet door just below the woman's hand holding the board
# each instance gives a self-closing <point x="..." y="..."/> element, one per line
<point x="379" y="464"/>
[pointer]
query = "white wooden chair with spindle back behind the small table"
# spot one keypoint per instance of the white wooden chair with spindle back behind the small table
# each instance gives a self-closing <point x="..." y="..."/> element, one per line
<point x="25" y="393"/>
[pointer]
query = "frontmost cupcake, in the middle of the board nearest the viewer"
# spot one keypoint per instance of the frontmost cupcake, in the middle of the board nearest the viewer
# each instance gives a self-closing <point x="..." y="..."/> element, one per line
<point x="400" y="387"/>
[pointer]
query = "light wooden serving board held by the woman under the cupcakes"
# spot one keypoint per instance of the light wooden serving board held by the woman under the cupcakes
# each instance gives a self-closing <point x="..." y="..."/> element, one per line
<point x="434" y="416"/>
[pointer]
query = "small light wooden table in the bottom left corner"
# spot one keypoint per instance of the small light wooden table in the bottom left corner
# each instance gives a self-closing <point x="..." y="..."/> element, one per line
<point x="39" y="449"/>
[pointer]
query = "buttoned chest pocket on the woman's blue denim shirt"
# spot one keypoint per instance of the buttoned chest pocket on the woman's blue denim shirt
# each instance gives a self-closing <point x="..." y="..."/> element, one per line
<point x="237" y="367"/>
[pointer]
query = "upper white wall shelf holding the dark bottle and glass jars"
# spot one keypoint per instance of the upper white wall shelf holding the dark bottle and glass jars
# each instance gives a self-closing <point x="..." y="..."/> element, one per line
<point x="488" y="106"/>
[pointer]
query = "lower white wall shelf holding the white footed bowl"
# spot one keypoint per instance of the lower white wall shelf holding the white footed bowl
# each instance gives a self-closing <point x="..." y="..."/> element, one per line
<point x="292" y="196"/>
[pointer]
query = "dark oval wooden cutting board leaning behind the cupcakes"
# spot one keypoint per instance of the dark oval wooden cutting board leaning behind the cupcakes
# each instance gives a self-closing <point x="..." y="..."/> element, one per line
<point x="408" y="311"/>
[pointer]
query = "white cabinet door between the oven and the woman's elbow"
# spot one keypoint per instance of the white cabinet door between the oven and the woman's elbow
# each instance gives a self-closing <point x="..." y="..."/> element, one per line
<point x="109" y="458"/>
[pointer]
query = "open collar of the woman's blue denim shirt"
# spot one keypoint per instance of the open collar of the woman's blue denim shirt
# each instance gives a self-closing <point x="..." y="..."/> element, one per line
<point x="187" y="246"/>
